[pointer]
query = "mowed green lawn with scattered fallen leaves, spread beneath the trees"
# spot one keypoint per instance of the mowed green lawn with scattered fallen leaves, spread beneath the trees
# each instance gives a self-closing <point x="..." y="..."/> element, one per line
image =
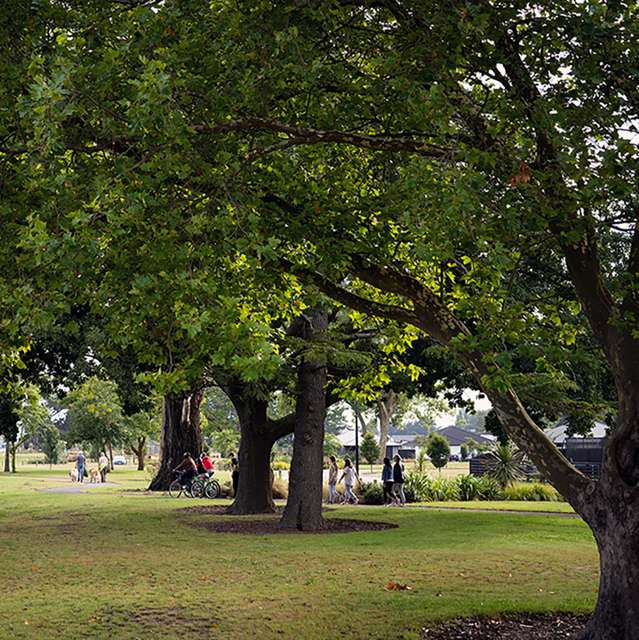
<point x="126" y="564"/>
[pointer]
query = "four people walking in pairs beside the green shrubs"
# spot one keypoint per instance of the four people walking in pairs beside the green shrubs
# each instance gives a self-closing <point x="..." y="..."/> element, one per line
<point x="392" y="482"/>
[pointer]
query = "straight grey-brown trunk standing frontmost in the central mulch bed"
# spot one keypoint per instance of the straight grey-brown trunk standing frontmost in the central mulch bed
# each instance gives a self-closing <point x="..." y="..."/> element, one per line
<point x="304" y="505"/>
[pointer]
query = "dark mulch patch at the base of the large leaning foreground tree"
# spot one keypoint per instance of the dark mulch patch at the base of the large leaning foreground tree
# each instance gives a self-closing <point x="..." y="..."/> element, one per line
<point x="524" y="627"/>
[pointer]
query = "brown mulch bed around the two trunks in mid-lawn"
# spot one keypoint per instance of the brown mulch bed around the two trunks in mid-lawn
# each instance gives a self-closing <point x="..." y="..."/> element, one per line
<point x="264" y="525"/>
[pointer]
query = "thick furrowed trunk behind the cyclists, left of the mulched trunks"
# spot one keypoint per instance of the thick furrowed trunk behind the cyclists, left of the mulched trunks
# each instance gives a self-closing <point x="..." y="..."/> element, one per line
<point x="180" y="433"/>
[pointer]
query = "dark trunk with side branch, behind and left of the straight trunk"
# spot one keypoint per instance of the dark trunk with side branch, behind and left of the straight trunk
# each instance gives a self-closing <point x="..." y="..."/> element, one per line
<point x="254" y="485"/>
